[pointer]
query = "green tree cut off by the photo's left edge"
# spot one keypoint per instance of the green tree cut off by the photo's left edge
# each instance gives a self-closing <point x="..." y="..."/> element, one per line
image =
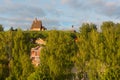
<point x="5" y="41"/>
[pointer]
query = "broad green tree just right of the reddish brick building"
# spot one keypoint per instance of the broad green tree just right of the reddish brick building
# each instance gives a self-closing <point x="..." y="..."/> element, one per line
<point x="58" y="53"/>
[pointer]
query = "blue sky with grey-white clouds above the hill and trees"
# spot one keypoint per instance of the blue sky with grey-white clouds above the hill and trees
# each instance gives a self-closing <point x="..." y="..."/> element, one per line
<point x="57" y="14"/>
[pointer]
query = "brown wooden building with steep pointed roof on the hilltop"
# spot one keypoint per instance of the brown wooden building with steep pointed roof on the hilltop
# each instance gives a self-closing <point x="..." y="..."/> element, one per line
<point x="37" y="26"/>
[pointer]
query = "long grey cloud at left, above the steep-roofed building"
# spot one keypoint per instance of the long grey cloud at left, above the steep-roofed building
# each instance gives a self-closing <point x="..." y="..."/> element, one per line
<point x="21" y="10"/>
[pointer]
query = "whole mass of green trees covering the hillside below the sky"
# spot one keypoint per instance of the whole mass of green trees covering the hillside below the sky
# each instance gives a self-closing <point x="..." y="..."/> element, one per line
<point x="93" y="53"/>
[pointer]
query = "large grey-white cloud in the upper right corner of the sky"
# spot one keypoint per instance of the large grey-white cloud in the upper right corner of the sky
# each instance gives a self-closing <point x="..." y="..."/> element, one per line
<point x="101" y="7"/>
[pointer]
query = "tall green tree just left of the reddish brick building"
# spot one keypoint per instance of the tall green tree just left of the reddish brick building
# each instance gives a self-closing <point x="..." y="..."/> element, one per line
<point x="20" y="64"/>
